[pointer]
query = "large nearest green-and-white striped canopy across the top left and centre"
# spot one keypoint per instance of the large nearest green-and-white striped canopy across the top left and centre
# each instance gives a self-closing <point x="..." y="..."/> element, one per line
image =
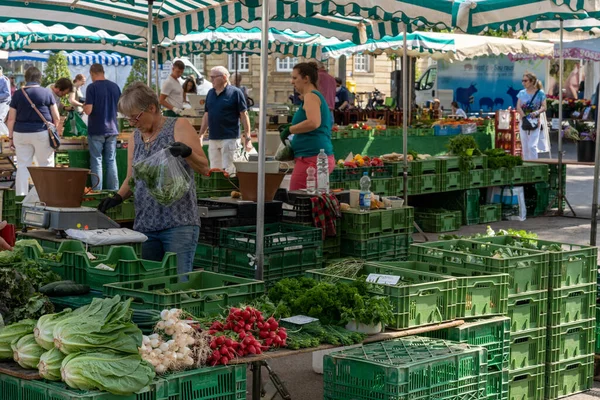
<point x="179" y="17"/>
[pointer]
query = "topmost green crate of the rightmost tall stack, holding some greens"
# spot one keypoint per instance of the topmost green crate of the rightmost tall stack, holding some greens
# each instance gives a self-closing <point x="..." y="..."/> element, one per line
<point x="574" y="265"/>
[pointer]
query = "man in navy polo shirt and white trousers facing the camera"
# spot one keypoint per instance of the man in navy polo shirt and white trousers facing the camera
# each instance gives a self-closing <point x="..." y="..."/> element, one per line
<point x="225" y="107"/>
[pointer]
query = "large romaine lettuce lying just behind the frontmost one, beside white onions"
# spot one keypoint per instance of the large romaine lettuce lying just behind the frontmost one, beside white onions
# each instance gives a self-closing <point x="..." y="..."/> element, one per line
<point x="103" y="325"/>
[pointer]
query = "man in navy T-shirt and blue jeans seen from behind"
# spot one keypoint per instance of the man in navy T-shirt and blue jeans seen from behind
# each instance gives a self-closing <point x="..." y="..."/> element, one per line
<point x="101" y="98"/>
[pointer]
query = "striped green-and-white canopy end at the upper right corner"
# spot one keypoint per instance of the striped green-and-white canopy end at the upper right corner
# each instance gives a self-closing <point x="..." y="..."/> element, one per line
<point x="516" y="15"/>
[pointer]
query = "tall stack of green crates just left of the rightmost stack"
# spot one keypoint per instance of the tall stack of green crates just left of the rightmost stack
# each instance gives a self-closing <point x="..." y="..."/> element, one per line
<point x="527" y="301"/>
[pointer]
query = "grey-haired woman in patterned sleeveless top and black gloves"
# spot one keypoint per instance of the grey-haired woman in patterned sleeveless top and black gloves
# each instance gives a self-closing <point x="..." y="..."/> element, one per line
<point x="169" y="229"/>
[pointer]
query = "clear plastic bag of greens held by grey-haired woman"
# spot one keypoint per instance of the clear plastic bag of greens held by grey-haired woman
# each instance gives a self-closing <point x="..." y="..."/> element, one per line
<point x="164" y="176"/>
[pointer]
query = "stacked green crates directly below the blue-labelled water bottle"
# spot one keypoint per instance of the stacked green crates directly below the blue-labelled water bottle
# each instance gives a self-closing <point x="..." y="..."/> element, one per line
<point x="377" y="234"/>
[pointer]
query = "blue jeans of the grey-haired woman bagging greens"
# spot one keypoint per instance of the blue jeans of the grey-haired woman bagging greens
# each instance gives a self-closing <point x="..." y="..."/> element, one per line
<point x="181" y="240"/>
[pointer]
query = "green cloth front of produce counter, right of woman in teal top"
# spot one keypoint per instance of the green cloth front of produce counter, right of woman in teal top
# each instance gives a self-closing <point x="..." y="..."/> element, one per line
<point x="377" y="145"/>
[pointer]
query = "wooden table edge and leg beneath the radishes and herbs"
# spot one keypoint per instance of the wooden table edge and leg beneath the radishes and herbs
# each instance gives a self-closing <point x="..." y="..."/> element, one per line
<point x="257" y="361"/>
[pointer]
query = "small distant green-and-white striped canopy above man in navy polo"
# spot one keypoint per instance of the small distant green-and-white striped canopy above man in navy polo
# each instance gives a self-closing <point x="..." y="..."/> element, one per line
<point x="222" y="40"/>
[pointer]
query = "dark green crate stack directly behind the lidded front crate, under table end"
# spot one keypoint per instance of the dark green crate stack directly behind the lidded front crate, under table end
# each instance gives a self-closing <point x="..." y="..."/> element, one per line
<point x="493" y="334"/>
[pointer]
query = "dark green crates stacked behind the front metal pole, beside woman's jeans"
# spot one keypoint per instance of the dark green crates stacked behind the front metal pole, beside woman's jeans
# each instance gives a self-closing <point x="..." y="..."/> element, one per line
<point x="289" y="251"/>
